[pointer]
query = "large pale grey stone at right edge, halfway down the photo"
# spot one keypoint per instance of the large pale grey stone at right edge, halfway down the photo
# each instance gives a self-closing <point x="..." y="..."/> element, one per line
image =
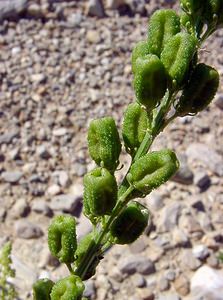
<point x="208" y="156"/>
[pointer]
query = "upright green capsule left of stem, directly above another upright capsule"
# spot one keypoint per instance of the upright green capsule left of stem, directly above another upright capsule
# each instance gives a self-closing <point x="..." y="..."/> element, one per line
<point x="104" y="143"/>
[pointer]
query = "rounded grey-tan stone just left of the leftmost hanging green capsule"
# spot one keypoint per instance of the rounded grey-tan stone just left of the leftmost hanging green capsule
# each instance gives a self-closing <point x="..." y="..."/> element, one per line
<point x="27" y="230"/>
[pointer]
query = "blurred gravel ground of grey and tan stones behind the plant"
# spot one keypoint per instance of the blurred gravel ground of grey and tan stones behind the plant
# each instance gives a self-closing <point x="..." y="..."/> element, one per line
<point x="63" y="63"/>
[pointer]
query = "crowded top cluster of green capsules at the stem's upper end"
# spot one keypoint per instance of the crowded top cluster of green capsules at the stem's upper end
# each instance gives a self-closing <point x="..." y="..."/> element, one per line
<point x="167" y="61"/>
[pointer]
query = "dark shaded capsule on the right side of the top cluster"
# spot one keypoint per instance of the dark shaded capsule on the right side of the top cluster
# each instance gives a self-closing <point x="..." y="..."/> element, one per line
<point x="200" y="90"/>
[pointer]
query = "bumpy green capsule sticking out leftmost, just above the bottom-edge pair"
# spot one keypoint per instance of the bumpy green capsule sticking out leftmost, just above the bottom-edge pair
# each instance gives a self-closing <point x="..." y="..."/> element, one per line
<point x="62" y="238"/>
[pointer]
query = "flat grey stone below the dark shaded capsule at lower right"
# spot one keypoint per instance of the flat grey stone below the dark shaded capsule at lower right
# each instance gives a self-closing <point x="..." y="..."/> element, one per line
<point x="136" y="263"/>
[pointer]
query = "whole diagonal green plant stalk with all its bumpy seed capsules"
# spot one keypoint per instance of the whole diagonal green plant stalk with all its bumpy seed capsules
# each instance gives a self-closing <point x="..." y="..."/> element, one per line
<point x="166" y="63"/>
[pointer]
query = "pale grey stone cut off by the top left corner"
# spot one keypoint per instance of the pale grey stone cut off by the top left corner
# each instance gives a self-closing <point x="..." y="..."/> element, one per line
<point x="11" y="8"/>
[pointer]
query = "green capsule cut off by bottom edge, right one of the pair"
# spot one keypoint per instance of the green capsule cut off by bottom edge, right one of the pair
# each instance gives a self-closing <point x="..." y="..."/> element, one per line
<point x="68" y="288"/>
